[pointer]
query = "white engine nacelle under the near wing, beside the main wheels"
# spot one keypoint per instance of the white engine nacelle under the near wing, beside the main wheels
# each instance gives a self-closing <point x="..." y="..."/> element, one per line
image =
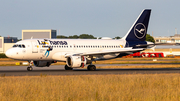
<point x="76" y="61"/>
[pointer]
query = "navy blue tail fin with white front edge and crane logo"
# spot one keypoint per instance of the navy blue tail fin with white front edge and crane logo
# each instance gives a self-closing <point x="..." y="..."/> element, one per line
<point x="138" y="30"/>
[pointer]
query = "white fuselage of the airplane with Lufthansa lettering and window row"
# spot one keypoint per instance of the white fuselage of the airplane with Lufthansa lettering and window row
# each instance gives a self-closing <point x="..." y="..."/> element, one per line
<point x="35" y="49"/>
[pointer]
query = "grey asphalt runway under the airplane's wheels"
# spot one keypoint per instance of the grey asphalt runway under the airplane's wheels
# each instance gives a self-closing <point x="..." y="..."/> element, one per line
<point x="59" y="70"/>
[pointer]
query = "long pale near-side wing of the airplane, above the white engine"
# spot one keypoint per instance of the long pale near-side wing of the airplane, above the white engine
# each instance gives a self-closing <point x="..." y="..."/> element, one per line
<point x="103" y="52"/>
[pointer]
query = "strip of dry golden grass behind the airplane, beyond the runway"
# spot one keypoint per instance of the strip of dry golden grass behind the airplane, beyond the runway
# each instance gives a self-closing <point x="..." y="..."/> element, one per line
<point x="10" y="62"/>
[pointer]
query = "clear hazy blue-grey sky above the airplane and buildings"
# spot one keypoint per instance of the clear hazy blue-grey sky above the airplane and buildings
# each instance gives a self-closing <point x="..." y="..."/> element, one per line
<point x="101" y="18"/>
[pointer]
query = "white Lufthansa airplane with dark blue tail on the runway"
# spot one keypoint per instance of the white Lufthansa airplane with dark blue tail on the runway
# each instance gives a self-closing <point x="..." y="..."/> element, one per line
<point x="78" y="53"/>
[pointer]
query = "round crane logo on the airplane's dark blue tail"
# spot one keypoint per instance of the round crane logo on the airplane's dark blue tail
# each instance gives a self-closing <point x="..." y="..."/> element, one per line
<point x="140" y="30"/>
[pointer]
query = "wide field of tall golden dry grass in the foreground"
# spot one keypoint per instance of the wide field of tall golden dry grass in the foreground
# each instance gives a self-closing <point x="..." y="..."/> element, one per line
<point x="134" y="87"/>
